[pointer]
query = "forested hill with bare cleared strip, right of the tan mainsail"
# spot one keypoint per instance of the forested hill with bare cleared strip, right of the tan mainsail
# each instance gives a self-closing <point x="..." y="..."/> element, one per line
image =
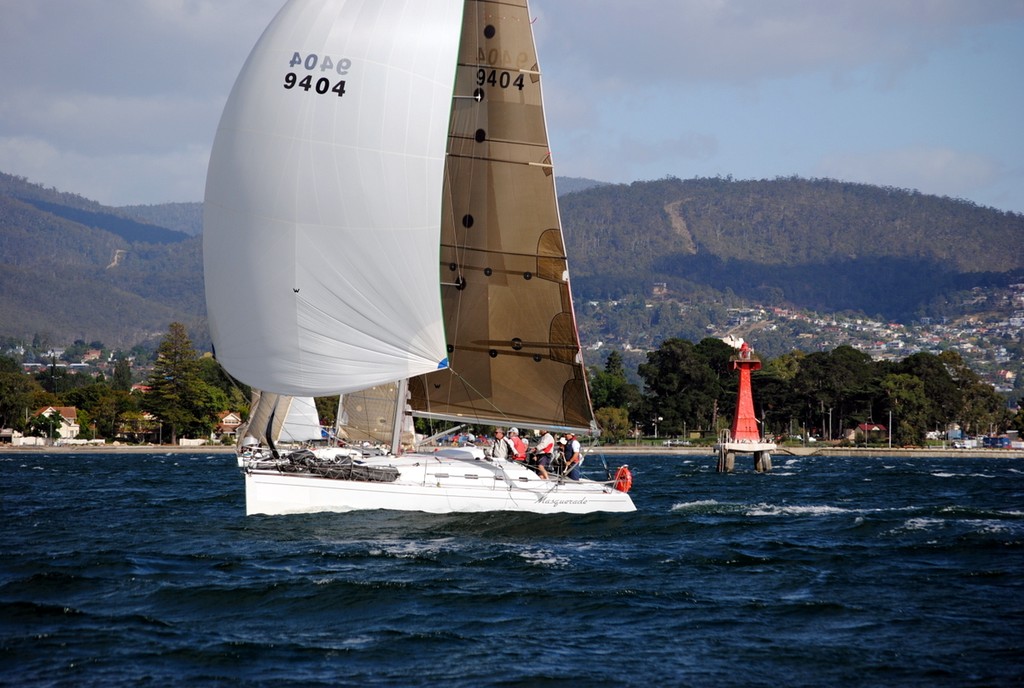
<point x="819" y="244"/>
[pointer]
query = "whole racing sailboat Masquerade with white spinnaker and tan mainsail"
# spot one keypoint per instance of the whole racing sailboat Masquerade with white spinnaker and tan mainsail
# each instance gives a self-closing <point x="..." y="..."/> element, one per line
<point x="381" y="224"/>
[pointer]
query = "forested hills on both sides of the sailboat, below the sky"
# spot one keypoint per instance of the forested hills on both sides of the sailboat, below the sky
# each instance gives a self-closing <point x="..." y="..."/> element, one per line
<point x="71" y="269"/>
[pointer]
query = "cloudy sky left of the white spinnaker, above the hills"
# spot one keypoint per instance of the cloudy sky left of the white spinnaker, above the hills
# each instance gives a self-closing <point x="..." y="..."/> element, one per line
<point x="120" y="103"/>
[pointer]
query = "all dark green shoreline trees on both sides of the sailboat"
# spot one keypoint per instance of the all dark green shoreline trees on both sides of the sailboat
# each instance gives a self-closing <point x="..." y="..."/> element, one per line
<point x="687" y="388"/>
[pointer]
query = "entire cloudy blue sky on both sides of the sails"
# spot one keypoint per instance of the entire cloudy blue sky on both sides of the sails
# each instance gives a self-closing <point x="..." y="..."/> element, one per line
<point x="118" y="101"/>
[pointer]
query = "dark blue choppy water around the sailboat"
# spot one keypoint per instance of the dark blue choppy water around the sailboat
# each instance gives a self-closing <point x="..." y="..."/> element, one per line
<point x="141" y="570"/>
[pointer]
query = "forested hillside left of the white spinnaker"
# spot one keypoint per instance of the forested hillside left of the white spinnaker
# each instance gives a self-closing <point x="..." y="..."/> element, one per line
<point x="71" y="269"/>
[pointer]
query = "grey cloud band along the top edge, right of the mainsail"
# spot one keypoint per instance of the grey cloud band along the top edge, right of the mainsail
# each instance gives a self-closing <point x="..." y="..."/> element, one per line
<point x="648" y="41"/>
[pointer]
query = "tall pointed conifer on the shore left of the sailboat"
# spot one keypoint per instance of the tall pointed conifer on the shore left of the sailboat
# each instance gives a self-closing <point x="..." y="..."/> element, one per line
<point x="178" y="397"/>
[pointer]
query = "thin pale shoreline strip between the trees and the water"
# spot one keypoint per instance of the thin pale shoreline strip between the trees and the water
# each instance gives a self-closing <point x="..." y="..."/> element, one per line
<point x="612" y="450"/>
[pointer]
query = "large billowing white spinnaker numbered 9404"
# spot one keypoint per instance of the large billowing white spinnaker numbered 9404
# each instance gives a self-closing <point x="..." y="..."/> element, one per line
<point x="325" y="192"/>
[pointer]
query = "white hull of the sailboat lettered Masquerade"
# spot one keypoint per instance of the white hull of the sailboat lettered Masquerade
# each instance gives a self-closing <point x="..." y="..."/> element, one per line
<point x="448" y="482"/>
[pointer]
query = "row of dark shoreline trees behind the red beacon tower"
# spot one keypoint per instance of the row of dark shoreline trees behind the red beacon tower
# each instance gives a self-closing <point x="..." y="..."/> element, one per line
<point x="693" y="388"/>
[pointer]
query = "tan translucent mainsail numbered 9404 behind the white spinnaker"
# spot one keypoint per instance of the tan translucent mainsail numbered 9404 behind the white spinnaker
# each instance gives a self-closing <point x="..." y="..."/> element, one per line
<point x="514" y="346"/>
